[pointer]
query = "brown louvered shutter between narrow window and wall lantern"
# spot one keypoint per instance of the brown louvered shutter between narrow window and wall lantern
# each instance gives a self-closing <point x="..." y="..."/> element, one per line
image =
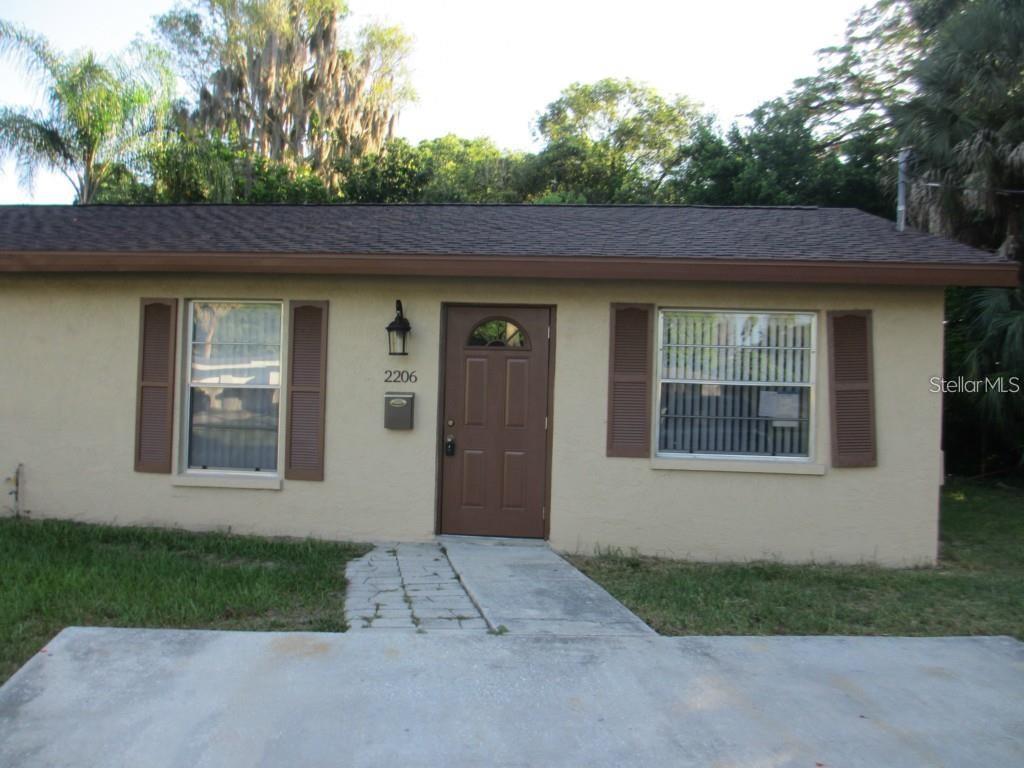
<point x="307" y="391"/>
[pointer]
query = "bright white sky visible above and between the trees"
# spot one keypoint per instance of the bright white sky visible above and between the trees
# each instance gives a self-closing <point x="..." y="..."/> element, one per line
<point x="487" y="69"/>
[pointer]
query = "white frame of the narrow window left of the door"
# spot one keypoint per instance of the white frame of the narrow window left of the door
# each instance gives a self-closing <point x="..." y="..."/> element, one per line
<point x="186" y="421"/>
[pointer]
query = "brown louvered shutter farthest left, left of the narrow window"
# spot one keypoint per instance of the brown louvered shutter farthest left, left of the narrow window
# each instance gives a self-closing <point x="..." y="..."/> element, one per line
<point x="155" y="401"/>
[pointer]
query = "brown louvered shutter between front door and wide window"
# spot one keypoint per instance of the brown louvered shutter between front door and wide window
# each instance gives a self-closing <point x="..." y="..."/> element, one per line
<point x="629" y="380"/>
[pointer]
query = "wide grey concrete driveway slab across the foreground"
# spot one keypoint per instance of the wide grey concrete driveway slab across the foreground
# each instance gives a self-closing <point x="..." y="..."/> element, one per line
<point x="150" y="698"/>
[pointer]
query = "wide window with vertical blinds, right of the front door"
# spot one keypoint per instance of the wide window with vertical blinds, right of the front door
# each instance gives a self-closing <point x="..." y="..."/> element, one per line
<point x="736" y="385"/>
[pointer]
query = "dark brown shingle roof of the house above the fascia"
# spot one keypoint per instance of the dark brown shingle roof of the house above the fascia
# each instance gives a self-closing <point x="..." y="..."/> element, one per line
<point x="828" y="235"/>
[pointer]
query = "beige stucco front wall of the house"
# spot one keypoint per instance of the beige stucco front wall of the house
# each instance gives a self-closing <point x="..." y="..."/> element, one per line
<point x="68" y="377"/>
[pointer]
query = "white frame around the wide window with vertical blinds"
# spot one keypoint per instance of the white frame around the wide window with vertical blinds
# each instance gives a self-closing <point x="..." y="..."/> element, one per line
<point x="749" y="458"/>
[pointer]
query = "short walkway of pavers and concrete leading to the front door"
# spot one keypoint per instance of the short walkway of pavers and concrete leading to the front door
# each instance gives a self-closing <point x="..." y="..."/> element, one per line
<point x="506" y="586"/>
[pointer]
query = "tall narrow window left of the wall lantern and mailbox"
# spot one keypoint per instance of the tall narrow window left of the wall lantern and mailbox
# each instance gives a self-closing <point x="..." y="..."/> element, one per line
<point x="234" y="387"/>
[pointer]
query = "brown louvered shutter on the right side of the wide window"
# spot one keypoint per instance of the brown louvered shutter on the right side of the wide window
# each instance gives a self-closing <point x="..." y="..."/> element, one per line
<point x="852" y="391"/>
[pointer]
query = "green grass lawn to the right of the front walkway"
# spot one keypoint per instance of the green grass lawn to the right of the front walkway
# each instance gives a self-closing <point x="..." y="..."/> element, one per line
<point x="977" y="589"/>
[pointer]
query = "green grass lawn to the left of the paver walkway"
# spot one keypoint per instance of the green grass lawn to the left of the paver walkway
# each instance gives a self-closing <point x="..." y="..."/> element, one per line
<point x="55" y="575"/>
